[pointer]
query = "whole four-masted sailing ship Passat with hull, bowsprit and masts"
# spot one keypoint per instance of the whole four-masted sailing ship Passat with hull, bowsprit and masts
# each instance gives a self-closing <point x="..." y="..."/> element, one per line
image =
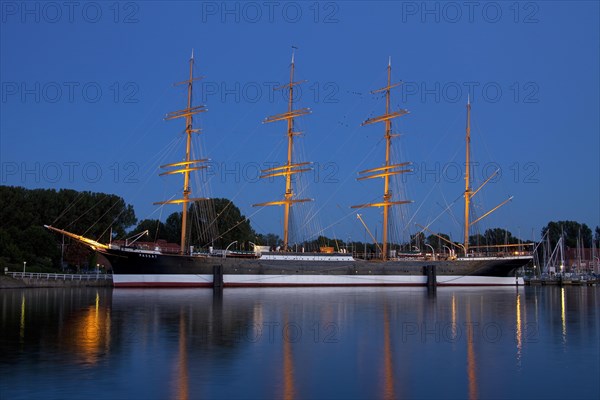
<point x="137" y="267"/>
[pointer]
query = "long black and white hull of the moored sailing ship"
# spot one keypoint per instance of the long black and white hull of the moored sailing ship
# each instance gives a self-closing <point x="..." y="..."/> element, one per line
<point x="140" y="269"/>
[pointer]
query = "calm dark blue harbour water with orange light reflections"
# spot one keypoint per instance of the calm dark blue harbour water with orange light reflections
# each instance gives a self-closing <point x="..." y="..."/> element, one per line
<point x="540" y="342"/>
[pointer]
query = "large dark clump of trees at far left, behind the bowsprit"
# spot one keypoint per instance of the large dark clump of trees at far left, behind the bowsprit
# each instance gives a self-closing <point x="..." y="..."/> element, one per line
<point x="24" y="212"/>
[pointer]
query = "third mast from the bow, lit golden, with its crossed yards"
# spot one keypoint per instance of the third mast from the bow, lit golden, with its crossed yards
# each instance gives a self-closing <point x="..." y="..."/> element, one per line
<point x="388" y="169"/>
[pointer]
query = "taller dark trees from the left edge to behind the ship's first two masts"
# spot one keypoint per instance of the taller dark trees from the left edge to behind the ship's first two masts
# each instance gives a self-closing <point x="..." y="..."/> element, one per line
<point x="24" y="212"/>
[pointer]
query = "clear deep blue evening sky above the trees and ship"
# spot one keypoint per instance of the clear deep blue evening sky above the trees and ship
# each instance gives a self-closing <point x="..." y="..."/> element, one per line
<point x="85" y="87"/>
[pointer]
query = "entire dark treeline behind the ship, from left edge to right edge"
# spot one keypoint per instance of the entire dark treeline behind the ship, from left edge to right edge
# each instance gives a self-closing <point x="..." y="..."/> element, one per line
<point x="216" y="222"/>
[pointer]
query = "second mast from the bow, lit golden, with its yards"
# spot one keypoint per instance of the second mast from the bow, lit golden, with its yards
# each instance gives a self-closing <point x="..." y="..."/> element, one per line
<point x="289" y="168"/>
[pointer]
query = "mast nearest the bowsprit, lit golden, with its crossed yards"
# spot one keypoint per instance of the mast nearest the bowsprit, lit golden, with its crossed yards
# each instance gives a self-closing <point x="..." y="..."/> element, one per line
<point x="188" y="165"/>
